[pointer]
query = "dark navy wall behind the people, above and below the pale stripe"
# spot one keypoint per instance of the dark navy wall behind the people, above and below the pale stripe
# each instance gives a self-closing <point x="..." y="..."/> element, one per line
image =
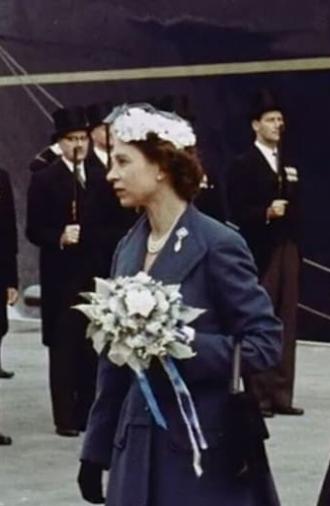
<point x="74" y="35"/>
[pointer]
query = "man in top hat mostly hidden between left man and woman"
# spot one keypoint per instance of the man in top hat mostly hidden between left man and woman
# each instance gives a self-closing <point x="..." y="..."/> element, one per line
<point x="120" y="220"/>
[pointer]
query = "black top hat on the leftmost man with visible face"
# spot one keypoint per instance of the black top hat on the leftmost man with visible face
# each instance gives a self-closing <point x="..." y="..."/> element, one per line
<point x="69" y="120"/>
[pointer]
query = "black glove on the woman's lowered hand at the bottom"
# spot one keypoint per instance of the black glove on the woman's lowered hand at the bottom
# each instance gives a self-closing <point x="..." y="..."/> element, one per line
<point x="90" y="482"/>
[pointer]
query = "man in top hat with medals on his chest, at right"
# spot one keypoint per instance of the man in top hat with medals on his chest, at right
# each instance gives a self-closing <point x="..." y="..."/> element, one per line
<point x="262" y="196"/>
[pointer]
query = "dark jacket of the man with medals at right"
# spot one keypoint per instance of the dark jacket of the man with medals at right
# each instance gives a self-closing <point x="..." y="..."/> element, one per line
<point x="251" y="187"/>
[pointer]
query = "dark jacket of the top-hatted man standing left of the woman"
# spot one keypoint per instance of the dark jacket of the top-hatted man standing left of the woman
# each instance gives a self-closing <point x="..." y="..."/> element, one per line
<point x="65" y="272"/>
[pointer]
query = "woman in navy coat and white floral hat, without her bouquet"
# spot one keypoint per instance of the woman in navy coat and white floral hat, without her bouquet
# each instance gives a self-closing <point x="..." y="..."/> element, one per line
<point x="155" y="167"/>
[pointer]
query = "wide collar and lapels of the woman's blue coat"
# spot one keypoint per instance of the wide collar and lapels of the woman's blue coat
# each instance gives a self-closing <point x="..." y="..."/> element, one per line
<point x="170" y="266"/>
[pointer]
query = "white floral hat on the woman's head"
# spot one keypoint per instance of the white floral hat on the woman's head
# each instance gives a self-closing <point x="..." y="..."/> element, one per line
<point x="134" y="123"/>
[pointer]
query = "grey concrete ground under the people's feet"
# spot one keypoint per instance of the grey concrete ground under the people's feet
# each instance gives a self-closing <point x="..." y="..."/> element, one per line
<point x="40" y="468"/>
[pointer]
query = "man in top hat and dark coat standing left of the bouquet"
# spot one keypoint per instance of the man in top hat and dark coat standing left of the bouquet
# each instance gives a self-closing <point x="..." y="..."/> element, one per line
<point x="67" y="221"/>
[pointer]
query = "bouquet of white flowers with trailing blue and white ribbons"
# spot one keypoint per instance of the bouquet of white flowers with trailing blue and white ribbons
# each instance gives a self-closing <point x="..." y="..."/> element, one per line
<point x="139" y="318"/>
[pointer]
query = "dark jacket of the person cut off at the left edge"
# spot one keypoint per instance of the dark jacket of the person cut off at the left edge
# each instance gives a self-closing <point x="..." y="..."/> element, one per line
<point x="8" y="248"/>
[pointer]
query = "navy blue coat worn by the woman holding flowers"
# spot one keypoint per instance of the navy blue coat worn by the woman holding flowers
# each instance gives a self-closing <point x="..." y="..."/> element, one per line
<point x="216" y="272"/>
